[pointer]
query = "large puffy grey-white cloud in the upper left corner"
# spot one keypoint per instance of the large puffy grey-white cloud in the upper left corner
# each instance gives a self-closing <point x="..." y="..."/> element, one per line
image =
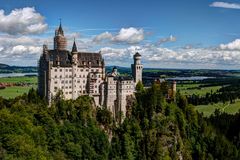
<point x="22" y="21"/>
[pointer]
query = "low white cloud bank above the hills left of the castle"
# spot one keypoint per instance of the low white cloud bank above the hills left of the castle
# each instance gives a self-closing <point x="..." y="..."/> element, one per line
<point x="20" y="50"/>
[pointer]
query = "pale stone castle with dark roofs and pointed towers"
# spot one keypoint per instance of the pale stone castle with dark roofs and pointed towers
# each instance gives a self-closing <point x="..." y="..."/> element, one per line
<point x="77" y="73"/>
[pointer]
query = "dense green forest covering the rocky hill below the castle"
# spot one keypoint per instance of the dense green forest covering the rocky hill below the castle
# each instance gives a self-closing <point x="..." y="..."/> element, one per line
<point x="153" y="129"/>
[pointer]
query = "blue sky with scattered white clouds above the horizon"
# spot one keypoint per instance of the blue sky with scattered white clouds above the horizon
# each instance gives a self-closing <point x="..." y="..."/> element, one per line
<point x="168" y="33"/>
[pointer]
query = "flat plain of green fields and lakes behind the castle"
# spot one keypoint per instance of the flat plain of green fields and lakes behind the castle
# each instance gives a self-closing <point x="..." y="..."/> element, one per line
<point x="189" y="82"/>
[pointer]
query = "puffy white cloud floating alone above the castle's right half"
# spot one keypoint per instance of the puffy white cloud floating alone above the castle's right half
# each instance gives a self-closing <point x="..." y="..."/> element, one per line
<point x="125" y="35"/>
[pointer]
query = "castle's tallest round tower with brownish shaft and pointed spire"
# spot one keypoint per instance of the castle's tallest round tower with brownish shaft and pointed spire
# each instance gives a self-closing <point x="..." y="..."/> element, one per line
<point x="60" y="42"/>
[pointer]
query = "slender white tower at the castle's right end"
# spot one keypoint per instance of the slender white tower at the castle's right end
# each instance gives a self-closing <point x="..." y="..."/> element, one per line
<point x="137" y="68"/>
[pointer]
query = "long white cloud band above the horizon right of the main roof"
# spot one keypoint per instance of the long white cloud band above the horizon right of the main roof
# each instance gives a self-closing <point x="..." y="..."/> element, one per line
<point x="154" y="56"/>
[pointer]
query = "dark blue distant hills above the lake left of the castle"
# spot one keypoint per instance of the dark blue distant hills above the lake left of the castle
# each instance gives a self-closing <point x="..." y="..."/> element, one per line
<point x="4" y="68"/>
